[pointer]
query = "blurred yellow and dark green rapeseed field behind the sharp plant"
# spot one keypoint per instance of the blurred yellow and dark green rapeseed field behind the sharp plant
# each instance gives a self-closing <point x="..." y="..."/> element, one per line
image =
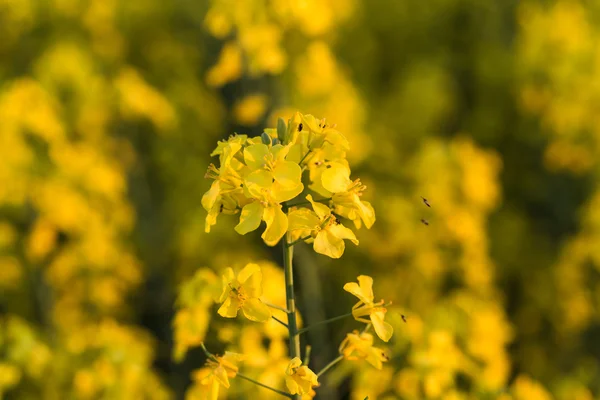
<point x="109" y="111"/>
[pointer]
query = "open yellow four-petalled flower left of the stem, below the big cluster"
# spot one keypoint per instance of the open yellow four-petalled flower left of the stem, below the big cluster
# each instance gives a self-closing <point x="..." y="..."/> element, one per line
<point x="243" y="293"/>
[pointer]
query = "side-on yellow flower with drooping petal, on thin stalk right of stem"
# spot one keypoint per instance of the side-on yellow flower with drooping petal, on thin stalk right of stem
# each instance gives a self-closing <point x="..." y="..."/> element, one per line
<point x="366" y="306"/>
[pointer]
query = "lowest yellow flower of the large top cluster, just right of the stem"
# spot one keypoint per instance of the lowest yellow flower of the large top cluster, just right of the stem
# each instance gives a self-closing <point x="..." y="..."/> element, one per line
<point x="323" y="226"/>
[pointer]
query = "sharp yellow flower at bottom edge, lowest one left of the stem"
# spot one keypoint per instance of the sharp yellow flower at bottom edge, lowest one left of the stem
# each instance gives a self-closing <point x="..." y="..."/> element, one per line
<point x="217" y="372"/>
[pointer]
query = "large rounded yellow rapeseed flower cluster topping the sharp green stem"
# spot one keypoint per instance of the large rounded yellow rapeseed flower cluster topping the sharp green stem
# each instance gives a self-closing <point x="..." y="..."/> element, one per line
<point x="258" y="178"/>
